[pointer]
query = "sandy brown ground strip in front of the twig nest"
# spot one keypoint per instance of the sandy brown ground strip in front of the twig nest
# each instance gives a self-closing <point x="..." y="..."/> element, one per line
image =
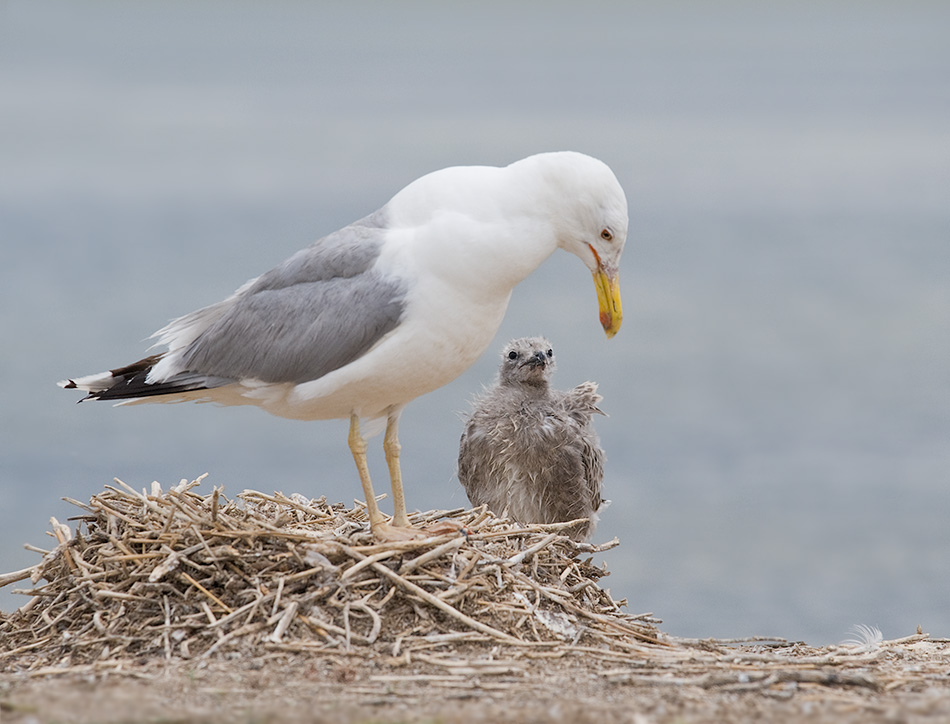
<point x="906" y="681"/>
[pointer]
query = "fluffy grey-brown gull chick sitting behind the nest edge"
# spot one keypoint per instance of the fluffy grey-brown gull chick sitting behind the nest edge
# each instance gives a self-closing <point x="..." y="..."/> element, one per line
<point x="531" y="452"/>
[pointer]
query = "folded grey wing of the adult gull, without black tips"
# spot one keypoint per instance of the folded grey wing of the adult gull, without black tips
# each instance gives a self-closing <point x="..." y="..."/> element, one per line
<point x="318" y="311"/>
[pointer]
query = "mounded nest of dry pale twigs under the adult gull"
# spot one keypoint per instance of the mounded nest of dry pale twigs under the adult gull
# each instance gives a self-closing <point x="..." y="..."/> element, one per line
<point x="176" y="575"/>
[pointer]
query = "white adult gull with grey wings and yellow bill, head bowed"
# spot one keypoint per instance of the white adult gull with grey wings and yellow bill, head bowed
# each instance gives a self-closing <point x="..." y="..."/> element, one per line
<point x="392" y="306"/>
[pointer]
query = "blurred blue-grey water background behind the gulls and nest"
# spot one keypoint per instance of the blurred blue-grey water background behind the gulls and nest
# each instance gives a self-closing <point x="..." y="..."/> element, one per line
<point x="779" y="395"/>
